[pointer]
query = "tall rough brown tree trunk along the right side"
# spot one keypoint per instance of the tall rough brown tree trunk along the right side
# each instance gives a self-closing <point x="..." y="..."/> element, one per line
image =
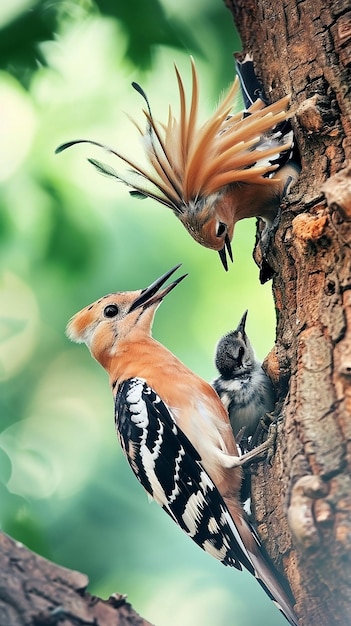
<point x="302" y="501"/>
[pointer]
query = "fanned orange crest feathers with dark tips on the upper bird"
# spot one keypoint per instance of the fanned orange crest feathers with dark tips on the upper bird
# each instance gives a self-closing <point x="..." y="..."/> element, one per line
<point x="190" y="160"/>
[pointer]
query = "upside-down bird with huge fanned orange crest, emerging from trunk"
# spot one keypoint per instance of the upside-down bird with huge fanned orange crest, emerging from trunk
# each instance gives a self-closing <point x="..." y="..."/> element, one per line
<point x="215" y="173"/>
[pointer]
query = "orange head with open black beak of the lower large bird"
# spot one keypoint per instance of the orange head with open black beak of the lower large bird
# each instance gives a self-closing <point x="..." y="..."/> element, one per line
<point x="105" y="323"/>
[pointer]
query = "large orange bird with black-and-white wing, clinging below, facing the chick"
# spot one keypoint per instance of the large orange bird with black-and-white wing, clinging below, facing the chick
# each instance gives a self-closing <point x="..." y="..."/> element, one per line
<point x="174" y="431"/>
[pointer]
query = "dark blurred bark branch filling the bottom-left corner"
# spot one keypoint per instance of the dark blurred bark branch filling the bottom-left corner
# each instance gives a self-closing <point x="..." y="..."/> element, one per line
<point x="36" y="592"/>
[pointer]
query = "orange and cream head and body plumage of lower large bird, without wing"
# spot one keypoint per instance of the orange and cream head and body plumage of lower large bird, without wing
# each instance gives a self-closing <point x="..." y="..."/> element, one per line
<point x="125" y="348"/>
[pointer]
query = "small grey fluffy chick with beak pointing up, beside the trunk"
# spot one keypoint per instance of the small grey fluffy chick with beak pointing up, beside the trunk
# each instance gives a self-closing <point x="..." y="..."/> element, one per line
<point x="243" y="387"/>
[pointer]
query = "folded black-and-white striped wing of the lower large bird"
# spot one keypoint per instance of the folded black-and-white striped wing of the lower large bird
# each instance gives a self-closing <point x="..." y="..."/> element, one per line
<point x="170" y="470"/>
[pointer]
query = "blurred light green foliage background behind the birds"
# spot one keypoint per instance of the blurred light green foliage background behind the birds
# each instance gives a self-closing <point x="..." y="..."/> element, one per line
<point x="68" y="236"/>
